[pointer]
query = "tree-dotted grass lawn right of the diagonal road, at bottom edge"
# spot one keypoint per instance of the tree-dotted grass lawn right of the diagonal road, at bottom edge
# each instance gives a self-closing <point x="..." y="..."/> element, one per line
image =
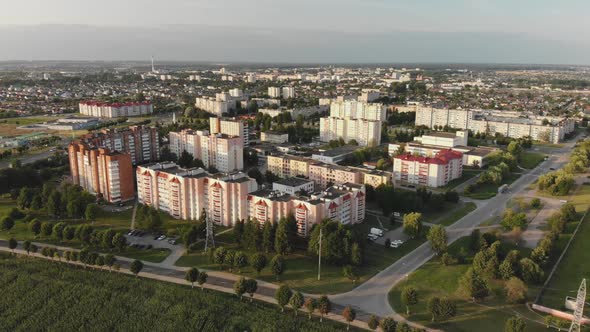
<point x="434" y="279"/>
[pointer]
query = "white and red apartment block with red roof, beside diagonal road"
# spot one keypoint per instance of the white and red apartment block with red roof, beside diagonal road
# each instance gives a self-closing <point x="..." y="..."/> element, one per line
<point x="435" y="171"/>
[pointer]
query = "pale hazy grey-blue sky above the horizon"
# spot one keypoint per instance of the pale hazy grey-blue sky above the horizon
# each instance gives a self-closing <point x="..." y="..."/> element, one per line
<point x="492" y="31"/>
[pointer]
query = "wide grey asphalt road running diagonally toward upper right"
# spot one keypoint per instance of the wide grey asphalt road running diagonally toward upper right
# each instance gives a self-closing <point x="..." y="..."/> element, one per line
<point x="371" y="296"/>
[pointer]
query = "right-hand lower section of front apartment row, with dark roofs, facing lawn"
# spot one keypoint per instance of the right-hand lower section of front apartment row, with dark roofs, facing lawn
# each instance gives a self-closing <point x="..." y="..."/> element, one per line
<point x="343" y="203"/>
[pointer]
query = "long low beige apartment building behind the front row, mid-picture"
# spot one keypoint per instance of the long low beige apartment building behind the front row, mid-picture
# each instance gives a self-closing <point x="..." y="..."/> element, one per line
<point x="322" y="174"/>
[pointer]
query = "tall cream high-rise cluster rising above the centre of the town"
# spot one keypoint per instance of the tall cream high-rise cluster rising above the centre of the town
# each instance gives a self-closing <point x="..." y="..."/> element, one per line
<point x="353" y="120"/>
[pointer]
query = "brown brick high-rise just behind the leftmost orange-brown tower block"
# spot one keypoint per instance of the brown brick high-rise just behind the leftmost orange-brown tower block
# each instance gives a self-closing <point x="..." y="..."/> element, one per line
<point x="141" y="142"/>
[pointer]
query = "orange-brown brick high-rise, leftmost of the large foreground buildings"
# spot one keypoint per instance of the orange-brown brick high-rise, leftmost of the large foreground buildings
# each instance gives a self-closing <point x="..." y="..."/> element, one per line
<point x="102" y="172"/>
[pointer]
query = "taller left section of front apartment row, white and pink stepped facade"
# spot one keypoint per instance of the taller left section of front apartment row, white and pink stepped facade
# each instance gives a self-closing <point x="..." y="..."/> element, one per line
<point x="186" y="193"/>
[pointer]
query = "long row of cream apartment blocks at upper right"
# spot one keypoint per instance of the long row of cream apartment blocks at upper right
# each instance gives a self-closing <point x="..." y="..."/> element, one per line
<point x="507" y="123"/>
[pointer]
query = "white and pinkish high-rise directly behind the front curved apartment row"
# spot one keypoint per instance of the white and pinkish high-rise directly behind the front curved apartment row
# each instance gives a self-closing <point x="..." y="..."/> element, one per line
<point x="224" y="152"/>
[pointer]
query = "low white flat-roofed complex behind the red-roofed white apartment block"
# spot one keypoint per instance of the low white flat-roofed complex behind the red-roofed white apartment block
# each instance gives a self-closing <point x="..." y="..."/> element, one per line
<point x="429" y="144"/>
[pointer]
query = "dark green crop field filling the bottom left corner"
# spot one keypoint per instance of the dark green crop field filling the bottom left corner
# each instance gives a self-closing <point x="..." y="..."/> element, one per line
<point x="52" y="296"/>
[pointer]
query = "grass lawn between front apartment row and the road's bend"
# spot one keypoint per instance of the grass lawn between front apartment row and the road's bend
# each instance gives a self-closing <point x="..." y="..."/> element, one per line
<point x="302" y="270"/>
